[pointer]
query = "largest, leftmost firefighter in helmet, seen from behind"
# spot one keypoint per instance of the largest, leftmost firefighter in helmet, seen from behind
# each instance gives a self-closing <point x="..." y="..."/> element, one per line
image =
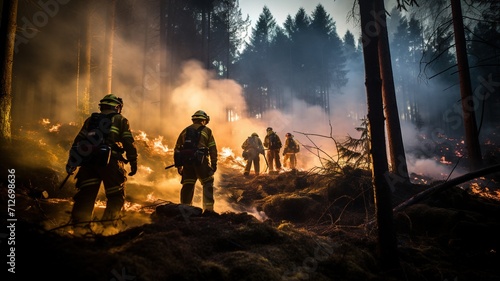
<point x="118" y="137"/>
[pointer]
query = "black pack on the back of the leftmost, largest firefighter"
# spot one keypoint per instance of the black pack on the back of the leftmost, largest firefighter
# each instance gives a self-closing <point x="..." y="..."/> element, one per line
<point x="94" y="149"/>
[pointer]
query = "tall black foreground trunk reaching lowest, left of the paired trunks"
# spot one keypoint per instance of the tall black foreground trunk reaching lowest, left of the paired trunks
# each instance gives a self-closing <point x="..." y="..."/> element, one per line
<point x="387" y="245"/>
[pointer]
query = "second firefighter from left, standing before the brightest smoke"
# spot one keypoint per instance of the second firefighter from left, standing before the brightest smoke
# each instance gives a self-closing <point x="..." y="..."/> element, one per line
<point x="205" y="166"/>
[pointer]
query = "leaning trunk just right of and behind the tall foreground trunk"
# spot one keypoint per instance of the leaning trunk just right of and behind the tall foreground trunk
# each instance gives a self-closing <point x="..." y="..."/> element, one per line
<point x="395" y="138"/>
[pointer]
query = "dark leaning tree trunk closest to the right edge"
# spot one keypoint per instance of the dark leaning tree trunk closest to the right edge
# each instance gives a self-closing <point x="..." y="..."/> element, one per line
<point x="469" y="116"/>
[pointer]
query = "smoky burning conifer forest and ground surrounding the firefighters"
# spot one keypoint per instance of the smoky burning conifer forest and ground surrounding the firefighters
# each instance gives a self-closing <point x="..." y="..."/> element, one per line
<point x="388" y="121"/>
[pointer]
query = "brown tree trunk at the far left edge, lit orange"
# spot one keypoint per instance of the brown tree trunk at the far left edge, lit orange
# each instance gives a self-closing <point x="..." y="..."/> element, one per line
<point x="7" y="36"/>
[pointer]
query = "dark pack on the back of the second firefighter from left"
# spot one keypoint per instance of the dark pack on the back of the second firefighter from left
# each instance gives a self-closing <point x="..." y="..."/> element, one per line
<point x="189" y="153"/>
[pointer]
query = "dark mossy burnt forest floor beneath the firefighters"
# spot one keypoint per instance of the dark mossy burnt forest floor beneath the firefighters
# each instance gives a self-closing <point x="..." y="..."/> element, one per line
<point x="291" y="226"/>
